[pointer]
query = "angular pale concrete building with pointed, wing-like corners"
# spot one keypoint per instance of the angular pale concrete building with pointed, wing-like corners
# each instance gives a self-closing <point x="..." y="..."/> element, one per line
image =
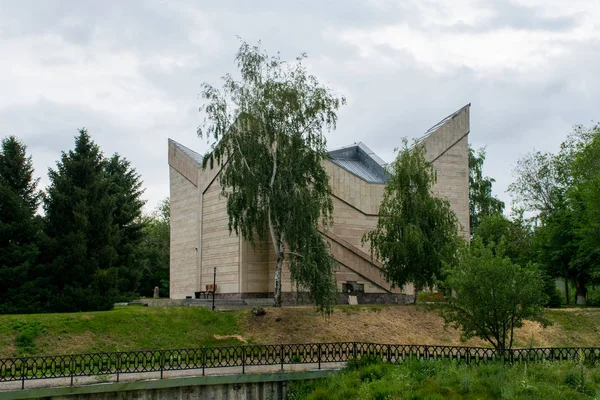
<point x="200" y="239"/>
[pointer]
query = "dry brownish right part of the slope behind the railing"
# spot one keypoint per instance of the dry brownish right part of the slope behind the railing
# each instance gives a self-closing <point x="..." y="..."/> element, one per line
<point x="411" y="325"/>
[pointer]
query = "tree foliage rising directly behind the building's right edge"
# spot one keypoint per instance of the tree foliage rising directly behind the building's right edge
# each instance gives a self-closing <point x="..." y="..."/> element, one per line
<point x="481" y="201"/>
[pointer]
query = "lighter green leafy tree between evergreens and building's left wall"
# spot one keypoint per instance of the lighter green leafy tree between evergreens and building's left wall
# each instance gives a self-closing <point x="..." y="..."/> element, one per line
<point x="153" y="251"/>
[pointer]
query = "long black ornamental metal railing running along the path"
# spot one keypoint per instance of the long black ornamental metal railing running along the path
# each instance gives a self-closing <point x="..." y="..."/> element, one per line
<point x="117" y="363"/>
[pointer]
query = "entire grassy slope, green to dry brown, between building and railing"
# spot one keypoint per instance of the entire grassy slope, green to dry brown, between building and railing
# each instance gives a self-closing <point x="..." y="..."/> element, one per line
<point x="133" y="328"/>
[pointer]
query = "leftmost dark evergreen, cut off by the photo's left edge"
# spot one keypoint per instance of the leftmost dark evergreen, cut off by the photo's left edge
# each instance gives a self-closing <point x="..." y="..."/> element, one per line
<point x="22" y="287"/>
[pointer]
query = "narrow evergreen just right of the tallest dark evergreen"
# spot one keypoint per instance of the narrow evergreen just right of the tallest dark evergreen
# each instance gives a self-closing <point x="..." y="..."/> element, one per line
<point x="126" y="189"/>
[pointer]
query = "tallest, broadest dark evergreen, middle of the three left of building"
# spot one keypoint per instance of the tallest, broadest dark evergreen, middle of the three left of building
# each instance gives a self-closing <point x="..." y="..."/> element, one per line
<point x="83" y="236"/>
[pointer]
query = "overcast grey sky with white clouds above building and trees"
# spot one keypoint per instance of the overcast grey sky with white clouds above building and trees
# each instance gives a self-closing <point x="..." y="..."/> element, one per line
<point x="130" y="71"/>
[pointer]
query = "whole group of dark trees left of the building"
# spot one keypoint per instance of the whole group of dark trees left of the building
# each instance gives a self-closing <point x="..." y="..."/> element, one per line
<point x="92" y="245"/>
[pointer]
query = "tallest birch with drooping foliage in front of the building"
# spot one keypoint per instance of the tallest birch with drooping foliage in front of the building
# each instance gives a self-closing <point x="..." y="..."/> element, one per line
<point x="267" y="133"/>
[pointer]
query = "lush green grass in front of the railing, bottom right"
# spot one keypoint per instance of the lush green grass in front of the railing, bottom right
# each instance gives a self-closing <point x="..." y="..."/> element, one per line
<point x="443" y="379"/>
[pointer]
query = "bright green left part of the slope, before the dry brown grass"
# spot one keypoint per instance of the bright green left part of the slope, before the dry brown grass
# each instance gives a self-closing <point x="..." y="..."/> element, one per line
<point x="124" y="328"/>
